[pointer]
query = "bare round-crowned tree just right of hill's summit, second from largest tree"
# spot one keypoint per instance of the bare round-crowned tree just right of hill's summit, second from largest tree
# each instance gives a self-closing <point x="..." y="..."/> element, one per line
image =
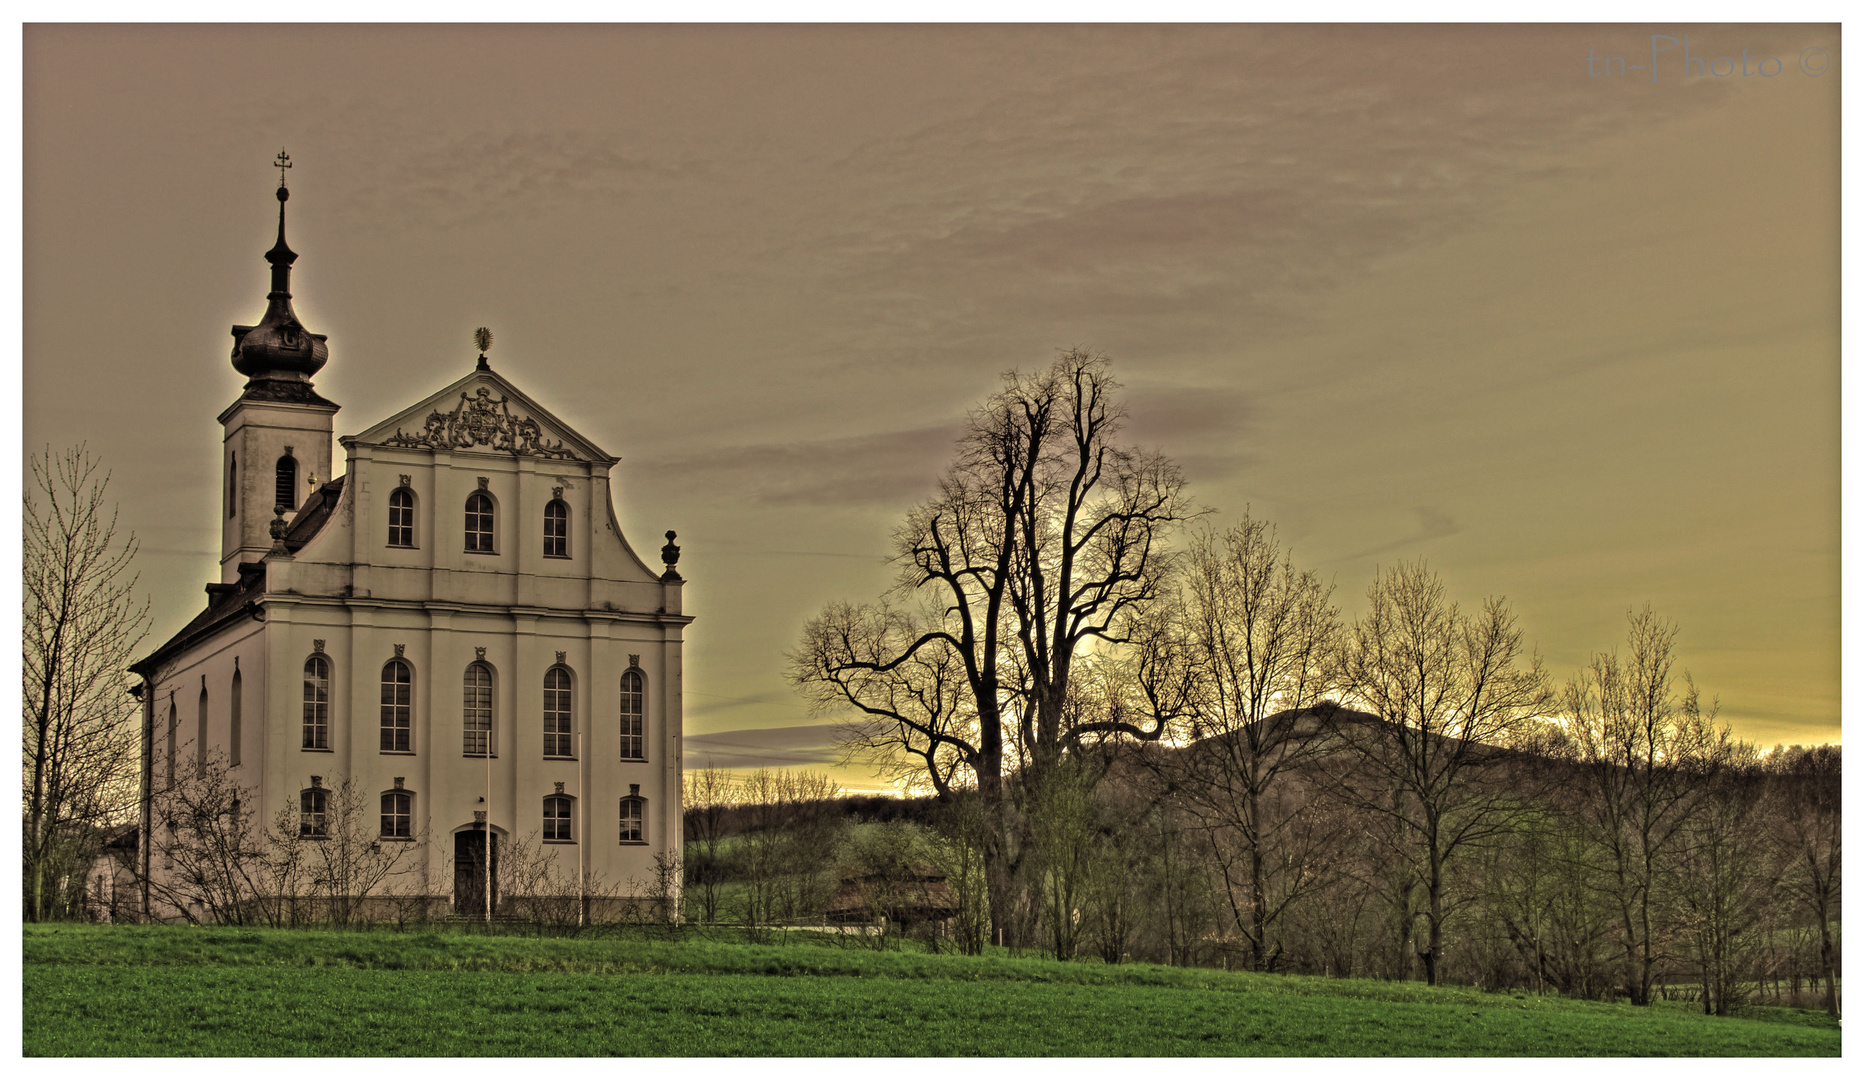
<point x="1453" y="691"/>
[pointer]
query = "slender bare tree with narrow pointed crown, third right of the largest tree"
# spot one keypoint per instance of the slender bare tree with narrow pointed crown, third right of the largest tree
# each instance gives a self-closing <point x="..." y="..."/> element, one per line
<point x="1647" y="749"/>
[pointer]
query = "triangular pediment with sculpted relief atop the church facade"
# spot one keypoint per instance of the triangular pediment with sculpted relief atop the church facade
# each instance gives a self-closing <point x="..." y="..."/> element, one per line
<point x="487" y="415"/>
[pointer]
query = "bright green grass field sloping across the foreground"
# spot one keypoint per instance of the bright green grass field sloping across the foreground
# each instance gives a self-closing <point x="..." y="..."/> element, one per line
<point x="178" y="991"/>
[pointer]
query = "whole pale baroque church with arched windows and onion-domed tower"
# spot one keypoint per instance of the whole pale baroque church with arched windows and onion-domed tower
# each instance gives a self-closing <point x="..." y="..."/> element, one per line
<point x="456" y="626"/>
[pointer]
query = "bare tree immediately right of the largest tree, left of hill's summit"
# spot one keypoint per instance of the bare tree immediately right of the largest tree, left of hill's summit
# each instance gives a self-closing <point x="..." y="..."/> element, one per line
<point x="1257" y="643"/>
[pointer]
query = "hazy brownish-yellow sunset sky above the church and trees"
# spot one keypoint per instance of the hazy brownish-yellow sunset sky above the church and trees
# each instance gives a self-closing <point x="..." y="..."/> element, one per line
<point x="1563" y="325"/>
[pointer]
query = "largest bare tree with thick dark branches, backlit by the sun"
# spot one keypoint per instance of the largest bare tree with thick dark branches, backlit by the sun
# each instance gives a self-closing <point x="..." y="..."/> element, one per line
<point x="1045" y="536"/>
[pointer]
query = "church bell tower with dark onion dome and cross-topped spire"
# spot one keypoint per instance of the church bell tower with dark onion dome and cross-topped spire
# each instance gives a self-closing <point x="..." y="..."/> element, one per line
<point x="277" y="436"/>
